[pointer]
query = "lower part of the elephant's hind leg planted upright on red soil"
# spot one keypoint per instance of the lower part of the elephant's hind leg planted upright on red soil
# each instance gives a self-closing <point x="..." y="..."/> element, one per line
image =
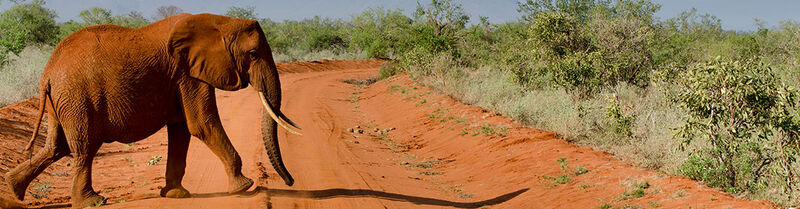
<point x="83" y="152"/>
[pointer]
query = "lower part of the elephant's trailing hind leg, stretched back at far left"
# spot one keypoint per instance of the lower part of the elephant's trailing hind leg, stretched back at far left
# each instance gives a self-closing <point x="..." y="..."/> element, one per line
<point x="54" y="149"/>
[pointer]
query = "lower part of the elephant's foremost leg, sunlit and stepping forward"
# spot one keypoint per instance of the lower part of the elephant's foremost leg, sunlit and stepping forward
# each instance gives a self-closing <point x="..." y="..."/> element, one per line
<point x="218" y="142"/>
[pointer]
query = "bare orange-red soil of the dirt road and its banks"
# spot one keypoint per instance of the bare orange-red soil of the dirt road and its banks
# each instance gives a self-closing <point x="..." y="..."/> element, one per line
<point x="429" y="151"/>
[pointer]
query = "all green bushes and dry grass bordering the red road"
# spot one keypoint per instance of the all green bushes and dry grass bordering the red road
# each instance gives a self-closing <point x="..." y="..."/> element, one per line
<point x="680" y="95"/>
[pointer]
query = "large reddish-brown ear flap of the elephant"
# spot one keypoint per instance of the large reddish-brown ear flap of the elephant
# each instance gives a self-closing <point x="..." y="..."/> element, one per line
<point x="197" y="44"/>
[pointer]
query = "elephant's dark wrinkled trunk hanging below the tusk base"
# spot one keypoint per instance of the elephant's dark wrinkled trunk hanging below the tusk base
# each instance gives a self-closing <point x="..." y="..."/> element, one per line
<point x="269" y="129"/>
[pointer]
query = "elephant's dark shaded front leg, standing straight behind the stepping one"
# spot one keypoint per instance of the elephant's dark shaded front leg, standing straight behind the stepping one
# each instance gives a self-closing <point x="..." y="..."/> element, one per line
<point x="178" y="136"/>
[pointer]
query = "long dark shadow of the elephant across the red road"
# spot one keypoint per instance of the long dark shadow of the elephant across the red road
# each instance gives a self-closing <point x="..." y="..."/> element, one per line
<point x="345" y="193"/>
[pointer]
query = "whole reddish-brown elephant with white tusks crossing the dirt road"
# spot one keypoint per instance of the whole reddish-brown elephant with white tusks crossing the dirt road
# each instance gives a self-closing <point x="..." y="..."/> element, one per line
<point x="109" y="83"/>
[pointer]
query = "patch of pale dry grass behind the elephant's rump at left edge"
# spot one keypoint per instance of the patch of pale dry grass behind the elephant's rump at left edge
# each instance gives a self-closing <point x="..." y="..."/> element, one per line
<point x="19" y="79"/>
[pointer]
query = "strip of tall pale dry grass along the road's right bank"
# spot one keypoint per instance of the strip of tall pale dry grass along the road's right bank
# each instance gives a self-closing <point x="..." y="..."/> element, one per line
<point x="583" y="121"/>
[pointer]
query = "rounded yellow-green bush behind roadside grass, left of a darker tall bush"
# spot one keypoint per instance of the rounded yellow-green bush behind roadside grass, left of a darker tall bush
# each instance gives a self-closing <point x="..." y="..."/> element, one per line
<point x="557" y="48"/>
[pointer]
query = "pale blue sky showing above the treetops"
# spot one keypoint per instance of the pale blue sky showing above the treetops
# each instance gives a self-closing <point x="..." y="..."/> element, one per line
<point x="735" y="14"/>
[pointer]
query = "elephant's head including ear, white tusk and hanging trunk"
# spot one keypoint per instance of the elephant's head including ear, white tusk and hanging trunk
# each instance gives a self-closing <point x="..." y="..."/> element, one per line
<point x="229" y="54"/>
